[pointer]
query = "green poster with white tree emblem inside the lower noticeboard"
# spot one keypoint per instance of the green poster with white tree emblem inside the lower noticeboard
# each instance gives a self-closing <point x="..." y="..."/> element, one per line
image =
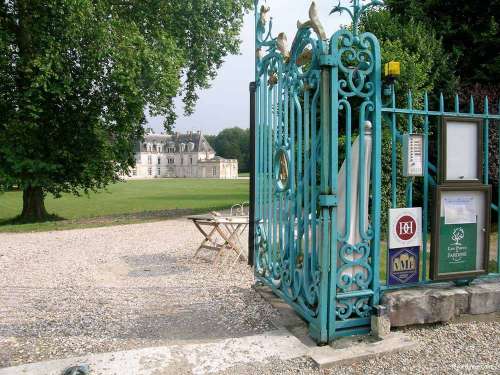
<point x="457" y="247"/>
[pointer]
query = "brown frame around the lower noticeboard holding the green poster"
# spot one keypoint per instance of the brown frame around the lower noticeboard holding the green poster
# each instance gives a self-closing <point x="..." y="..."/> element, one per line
<point x="440" y="192"/>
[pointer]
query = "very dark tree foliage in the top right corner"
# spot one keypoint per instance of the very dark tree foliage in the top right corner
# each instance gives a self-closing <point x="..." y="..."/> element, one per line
<point x="470" y="31"/>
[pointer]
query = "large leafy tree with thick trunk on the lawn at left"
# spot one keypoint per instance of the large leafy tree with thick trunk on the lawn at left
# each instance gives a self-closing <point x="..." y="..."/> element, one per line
<point x="77" y="75"/>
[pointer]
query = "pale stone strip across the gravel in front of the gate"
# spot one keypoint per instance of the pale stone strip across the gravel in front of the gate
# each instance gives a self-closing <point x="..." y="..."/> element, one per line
<point x="197" y="359"/>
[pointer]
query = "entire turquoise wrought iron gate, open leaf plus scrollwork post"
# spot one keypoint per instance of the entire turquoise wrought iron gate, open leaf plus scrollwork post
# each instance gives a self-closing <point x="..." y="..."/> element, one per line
<point x="317" y="171"/>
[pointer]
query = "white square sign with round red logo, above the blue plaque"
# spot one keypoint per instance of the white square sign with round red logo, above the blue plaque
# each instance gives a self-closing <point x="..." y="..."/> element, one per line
<point x="405" y="227"/>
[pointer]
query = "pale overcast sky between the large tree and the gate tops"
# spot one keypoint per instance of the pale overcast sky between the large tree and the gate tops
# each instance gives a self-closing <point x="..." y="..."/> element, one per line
<point x="226" y="103"/>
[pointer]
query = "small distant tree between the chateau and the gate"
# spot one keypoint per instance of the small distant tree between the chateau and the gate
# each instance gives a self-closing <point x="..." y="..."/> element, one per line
<point x="233" y="143"/>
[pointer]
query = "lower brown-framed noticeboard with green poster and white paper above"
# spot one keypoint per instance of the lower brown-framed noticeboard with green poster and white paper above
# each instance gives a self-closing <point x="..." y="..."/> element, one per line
<point x="460" y="238"/>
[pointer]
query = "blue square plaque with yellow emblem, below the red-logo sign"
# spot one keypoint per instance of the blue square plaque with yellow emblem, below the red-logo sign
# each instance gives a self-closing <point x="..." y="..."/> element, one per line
<point x="403" y="265"/>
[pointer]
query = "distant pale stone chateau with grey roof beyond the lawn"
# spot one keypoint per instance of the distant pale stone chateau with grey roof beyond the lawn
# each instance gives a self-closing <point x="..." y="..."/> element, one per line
<point x="180" y="155"/>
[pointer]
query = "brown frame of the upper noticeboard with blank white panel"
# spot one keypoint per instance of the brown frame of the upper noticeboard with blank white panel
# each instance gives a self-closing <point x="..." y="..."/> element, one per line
<point x="443" y="152"/>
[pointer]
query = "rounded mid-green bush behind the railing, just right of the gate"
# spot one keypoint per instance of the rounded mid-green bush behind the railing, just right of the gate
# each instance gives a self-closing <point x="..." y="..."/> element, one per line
<point x="425" y="67"/>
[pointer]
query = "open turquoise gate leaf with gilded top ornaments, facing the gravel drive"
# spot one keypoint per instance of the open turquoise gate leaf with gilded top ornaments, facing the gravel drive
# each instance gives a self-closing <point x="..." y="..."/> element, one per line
<point x="288" y="80"/>
